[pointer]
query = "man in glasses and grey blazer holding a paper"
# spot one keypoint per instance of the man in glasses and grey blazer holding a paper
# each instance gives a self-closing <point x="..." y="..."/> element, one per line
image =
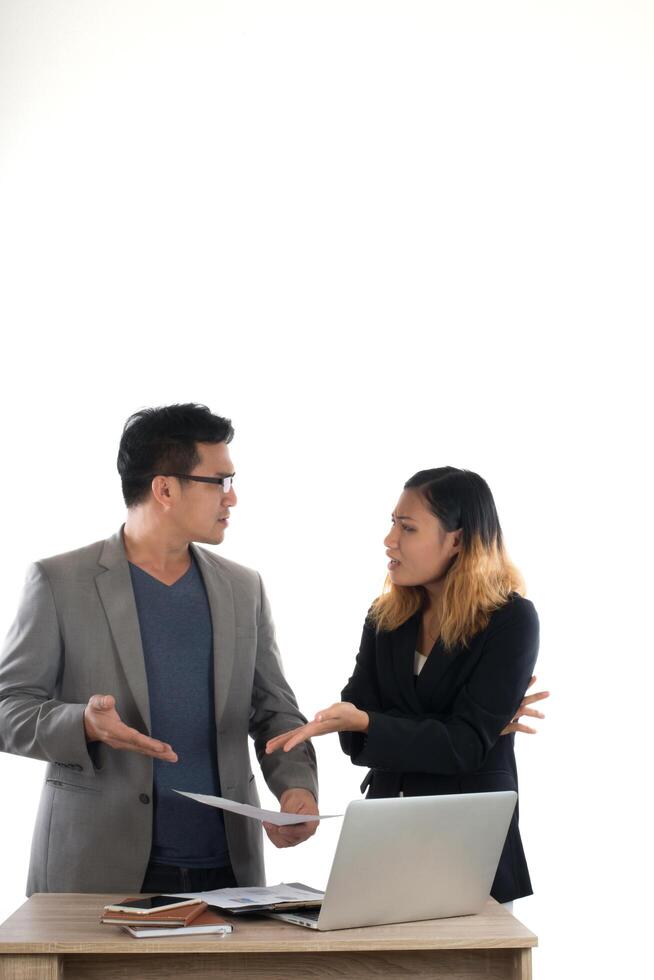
<point x="139" y="665"/>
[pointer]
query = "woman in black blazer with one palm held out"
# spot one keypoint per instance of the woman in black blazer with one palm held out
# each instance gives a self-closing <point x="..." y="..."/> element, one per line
<point x="446" y="655"/>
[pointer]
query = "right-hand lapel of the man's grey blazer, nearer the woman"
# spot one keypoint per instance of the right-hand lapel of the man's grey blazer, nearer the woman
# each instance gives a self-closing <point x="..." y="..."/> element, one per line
<point x="221" y="603"/>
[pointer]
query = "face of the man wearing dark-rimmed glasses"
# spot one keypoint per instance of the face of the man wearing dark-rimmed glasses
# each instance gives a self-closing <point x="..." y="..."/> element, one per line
<point x="200" y="511"/>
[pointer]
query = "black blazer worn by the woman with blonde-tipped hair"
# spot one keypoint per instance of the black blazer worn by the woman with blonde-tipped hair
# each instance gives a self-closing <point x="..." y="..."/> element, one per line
<point x="440" y="732"/>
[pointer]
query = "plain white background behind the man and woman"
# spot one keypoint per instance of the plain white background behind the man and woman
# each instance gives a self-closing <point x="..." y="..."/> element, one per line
<point x="380" y="236"/>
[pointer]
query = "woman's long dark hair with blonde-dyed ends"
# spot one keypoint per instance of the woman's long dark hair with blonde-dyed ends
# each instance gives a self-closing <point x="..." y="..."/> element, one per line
<point x="481" y="577"/>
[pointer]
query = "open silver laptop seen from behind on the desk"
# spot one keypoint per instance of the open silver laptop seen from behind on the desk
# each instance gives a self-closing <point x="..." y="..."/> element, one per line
<point x="410" y="858"/>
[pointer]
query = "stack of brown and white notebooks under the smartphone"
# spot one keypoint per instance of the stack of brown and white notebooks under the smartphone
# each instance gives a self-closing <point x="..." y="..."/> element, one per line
<point x="188" y="919"/>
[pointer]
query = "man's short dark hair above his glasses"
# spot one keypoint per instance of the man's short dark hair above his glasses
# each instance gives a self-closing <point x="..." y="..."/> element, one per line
<point x="163" y="440"/>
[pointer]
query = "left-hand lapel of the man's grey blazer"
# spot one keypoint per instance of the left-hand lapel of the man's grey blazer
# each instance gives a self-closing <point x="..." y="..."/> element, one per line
<point x="114" y="586"/>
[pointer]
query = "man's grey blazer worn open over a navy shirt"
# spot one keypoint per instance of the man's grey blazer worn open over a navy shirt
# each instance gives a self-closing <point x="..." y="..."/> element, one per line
<point x="76" y="634"/>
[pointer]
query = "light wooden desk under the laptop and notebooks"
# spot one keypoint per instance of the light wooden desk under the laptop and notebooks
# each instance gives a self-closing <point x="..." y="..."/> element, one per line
<point x="52" y="937"/>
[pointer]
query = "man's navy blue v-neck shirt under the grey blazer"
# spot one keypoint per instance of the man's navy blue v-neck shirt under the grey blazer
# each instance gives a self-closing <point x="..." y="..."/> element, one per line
<point x="177" y="638"/>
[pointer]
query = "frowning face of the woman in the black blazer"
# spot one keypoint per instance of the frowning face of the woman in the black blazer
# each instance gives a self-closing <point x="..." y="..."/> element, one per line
<point x="419" y="547"/>
